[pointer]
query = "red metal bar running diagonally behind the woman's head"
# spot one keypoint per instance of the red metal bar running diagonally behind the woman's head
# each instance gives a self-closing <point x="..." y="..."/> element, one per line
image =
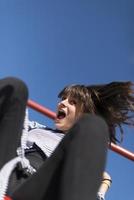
<point x="52" y="115"/>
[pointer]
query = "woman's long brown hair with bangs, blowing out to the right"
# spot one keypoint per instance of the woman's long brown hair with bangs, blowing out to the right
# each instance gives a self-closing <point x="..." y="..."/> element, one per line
<point x="114" y="102"/>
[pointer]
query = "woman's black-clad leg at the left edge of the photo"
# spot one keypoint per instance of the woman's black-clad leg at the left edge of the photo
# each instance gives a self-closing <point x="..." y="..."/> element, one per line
<point x="13" y="99"/>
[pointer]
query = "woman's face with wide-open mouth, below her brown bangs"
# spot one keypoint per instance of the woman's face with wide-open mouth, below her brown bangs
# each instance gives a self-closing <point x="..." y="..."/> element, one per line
<point x="66" y="114"/>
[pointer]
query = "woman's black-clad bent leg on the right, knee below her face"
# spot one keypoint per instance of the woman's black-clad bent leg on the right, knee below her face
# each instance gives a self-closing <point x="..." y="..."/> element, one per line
<point x="75" y="169"/>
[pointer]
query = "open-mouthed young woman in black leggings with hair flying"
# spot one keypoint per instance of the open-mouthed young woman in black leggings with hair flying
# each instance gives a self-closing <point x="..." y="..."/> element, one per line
<point x="68" y="162"/>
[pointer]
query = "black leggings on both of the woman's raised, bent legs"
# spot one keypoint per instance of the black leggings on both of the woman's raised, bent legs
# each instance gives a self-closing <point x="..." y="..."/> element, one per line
<point x="74" y="170"/>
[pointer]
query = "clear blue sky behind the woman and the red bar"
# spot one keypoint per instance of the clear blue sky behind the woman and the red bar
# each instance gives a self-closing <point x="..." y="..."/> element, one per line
<point x="50" y="44"/>
